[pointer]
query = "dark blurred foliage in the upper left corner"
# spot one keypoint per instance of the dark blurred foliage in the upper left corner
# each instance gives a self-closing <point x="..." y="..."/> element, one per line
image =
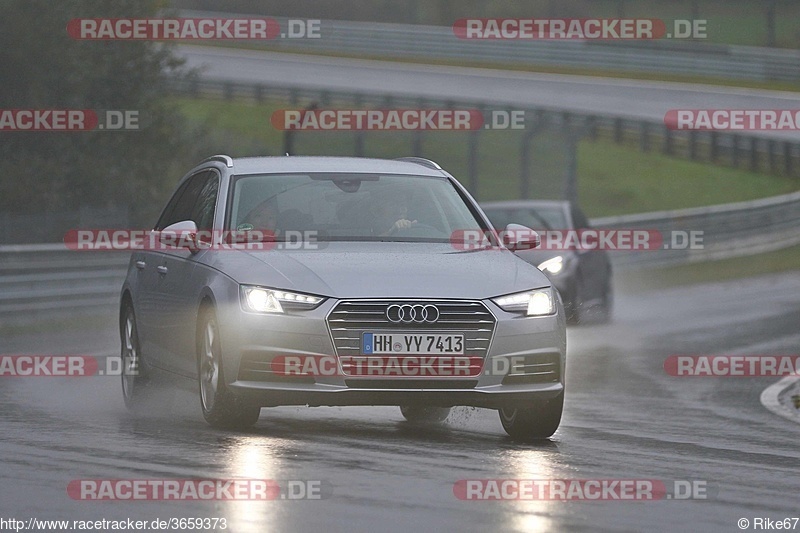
<point x="41" y="67"/>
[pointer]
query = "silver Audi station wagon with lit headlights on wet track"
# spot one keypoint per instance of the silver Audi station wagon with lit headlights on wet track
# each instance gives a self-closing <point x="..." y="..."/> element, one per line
<point x="333" y="281"/>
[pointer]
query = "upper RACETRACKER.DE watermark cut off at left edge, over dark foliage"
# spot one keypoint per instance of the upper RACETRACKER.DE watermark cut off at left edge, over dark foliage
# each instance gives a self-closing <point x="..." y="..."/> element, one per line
<point x="68" y="120"/>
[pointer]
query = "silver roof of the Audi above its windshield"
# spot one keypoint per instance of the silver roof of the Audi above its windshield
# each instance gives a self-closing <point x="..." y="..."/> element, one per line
<point x="261" y="165"/>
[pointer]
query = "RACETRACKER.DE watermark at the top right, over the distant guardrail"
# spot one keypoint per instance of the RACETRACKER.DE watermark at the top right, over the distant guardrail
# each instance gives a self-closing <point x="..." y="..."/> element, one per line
<point x="579" y="28"/>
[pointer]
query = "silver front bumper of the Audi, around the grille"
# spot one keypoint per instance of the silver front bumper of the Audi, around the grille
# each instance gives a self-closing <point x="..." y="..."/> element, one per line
<point x="250" y="342"/>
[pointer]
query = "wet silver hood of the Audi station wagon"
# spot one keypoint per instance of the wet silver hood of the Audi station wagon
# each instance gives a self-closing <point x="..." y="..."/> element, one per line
<point x="383" y="270"/>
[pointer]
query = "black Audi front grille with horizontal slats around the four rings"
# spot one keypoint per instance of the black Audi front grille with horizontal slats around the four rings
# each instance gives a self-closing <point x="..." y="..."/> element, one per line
<point x="351" y="318"/>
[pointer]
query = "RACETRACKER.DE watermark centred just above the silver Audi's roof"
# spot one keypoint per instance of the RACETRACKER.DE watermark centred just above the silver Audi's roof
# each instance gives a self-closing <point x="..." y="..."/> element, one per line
<point x="397" y="119"/>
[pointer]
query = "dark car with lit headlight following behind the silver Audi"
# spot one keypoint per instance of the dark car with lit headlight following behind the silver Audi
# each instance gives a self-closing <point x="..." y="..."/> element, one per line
<point x="583" y="277"/>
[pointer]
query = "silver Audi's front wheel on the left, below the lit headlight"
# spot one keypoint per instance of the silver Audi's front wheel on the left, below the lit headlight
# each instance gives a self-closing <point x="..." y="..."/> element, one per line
<point x="221" y="407"/>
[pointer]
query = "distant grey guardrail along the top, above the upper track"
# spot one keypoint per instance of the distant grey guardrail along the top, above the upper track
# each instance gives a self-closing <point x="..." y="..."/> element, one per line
<point x="439" y="43"/>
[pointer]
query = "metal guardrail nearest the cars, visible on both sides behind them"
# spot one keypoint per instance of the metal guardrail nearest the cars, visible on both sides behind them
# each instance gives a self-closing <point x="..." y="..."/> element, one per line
<point x="37" y="281"/>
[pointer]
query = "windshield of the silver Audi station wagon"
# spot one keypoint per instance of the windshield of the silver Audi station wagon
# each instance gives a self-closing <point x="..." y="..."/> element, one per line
<point x="350" y="207"/>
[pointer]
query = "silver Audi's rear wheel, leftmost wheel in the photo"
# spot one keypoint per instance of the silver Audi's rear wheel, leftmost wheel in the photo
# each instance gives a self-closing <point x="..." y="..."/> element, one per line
<point x="135" y="375"/>
